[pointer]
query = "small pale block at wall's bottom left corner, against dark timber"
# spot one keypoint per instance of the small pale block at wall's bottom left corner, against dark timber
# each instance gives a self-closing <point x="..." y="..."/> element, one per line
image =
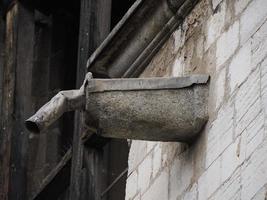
<point x="131" y="186"/>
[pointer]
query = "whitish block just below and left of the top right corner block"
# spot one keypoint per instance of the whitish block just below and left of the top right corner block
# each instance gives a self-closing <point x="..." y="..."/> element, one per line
<point x="227" y="44"/>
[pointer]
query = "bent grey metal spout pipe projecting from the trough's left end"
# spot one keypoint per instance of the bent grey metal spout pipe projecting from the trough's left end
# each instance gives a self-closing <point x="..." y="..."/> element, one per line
<point x="64" y="101"/>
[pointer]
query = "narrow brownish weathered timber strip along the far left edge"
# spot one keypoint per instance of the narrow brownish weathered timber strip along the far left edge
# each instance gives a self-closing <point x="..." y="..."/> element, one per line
<point x="8" y="100"/>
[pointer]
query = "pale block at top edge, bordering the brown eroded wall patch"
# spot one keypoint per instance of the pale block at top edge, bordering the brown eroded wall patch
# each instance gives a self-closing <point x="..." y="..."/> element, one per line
<point x="215" y="25"/>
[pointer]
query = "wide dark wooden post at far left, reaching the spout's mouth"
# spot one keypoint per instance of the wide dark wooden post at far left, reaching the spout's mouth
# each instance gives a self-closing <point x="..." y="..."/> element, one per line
<point x="16" y="101"/>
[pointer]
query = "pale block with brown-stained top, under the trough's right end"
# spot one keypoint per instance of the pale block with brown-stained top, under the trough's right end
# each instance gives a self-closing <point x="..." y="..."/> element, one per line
<point x="181" y="173"/>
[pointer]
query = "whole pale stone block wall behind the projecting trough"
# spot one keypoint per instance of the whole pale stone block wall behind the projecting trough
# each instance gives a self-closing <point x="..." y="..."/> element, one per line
<point x="228" y="40"/>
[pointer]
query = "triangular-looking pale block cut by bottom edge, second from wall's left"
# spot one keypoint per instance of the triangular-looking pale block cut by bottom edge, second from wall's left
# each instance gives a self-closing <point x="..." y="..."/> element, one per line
<point x="159" y="189"/>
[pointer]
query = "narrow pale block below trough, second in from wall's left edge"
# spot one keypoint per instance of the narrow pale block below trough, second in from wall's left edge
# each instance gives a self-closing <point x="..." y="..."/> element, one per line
<point x="144" y="173"/>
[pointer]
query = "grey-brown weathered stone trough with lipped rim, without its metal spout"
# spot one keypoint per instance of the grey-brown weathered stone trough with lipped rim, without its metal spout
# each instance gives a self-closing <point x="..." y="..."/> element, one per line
<point x="163" y="109"/>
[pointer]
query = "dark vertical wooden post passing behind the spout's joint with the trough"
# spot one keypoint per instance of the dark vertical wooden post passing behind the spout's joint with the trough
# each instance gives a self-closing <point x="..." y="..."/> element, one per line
<point x="94" y="27"/>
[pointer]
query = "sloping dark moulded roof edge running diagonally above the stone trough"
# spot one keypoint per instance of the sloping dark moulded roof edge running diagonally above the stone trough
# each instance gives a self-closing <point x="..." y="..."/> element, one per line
<point x="137" y="37"/>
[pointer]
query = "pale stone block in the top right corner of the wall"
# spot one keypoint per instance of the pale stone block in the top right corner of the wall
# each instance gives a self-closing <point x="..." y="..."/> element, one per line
<point x="252" y="18"/>
